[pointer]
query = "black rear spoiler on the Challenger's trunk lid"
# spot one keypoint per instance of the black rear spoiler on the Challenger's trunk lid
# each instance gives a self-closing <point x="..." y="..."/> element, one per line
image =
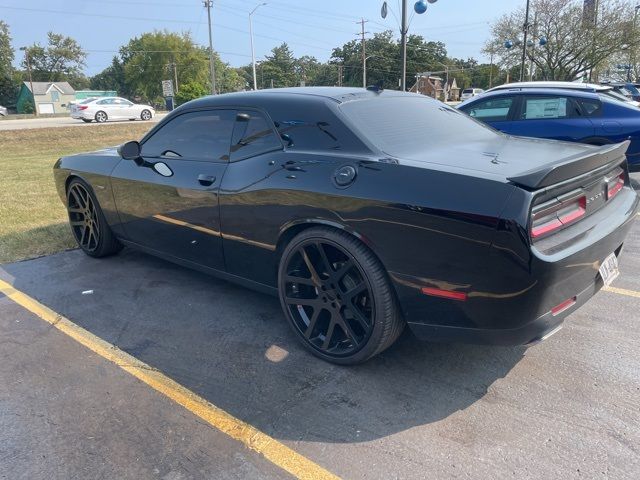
<point x="571" y="167"/>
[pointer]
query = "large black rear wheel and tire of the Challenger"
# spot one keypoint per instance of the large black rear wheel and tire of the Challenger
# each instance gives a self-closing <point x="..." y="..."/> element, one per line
<point x="364" y="323"/>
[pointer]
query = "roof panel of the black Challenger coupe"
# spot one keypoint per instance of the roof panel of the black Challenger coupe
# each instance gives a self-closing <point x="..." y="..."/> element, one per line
<point x="334" y="94"/>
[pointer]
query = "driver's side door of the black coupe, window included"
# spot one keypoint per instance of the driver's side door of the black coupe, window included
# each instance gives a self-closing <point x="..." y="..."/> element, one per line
<point x="177" y="213"/>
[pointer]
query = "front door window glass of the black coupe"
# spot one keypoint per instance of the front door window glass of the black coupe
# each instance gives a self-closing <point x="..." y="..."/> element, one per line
<point x="203" y="135"/>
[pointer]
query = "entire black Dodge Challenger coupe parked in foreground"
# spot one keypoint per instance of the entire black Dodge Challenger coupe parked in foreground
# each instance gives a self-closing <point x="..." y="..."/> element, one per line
<point x="364" y="210"/>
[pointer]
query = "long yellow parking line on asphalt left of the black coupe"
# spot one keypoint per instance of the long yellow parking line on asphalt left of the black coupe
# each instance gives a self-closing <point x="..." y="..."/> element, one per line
<point x="274" y="451"/>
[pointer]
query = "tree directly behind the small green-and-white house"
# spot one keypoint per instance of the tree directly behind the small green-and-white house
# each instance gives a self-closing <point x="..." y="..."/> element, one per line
<point x="61" y="60"/>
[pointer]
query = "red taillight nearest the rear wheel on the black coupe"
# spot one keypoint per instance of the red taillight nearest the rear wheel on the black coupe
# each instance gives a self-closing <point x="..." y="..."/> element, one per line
<point x="557" y="213"/>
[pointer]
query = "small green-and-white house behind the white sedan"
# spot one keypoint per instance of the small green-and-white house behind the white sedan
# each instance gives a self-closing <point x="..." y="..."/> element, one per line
<point x="49" y="97"/>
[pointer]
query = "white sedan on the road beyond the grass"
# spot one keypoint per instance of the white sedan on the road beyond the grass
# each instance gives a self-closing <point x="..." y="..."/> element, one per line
<point x="110" y="108"/>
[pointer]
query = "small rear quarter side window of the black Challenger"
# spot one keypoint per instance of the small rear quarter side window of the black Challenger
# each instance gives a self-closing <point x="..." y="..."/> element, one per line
<point x="252" y="135"/>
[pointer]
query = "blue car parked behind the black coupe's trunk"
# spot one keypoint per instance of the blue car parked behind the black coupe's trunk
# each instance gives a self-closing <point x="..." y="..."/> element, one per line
<point x="569" y="115"/>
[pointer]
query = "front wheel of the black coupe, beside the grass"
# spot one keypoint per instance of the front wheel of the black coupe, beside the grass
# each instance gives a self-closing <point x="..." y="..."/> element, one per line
<point x="88" y="224"/>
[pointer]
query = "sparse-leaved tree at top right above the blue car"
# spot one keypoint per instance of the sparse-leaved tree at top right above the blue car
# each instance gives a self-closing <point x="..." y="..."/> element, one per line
<point x="578" y="43"/>
